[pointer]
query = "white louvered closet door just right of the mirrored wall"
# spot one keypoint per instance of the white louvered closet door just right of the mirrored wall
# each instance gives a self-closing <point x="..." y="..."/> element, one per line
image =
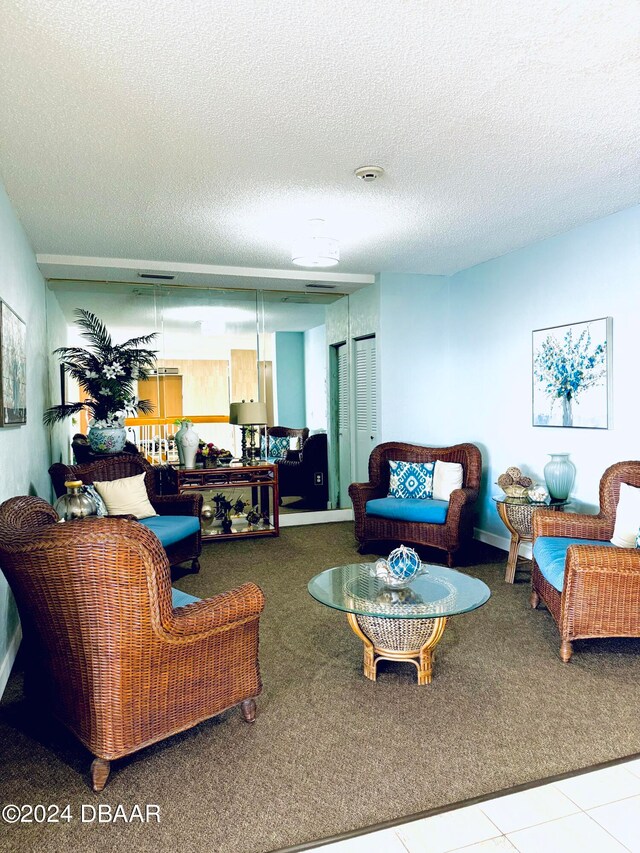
<point x="366" y="405"/>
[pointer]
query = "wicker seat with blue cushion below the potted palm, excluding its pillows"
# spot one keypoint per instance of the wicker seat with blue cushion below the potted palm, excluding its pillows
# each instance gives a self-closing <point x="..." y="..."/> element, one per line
<point x="177" y="524"/>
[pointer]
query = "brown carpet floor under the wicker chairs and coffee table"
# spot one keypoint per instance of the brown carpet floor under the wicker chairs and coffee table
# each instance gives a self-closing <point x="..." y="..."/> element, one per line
<point x="331" y="751"/>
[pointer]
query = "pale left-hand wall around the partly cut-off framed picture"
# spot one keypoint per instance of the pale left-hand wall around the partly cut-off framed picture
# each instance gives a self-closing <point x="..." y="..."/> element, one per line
<point x="24" y="450"/>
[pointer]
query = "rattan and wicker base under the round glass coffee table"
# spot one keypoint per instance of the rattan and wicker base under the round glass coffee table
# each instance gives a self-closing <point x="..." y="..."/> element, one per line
<point x="412" y="640"/>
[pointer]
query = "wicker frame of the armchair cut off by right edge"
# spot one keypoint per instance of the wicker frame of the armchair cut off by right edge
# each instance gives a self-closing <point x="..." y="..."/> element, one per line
<point x="601" y="591"/>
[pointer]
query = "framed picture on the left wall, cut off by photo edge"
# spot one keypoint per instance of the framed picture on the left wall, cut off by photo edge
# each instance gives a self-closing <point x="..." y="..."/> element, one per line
<point x="13" y="367"/>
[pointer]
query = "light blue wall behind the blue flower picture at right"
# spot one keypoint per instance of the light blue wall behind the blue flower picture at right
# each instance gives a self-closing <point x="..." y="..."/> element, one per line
<point x="456" y="354"/>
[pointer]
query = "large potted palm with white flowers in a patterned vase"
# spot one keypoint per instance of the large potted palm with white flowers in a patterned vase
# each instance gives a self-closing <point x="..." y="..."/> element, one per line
<point x="107" y="373"/>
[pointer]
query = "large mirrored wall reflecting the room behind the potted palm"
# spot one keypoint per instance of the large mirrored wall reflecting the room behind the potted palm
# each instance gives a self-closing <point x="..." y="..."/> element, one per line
<point x="217" y="347"/>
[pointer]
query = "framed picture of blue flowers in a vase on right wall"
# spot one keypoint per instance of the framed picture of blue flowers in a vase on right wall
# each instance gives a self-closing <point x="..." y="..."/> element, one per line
<point x="572" y="375"/>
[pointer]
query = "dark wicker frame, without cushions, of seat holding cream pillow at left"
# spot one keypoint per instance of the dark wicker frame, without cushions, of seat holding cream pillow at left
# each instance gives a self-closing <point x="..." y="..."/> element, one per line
<point x="128" y="465"/>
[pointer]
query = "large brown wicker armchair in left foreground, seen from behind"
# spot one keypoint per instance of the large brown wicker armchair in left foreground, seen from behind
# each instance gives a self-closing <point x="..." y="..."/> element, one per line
<point x="117" y="664"/>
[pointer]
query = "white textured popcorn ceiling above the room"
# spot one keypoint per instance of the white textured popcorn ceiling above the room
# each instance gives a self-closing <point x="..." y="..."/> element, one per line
<point x="207" y="132"/>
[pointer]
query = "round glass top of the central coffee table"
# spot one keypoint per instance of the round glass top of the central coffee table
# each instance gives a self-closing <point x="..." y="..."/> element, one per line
<point x="437" y="592"/>
